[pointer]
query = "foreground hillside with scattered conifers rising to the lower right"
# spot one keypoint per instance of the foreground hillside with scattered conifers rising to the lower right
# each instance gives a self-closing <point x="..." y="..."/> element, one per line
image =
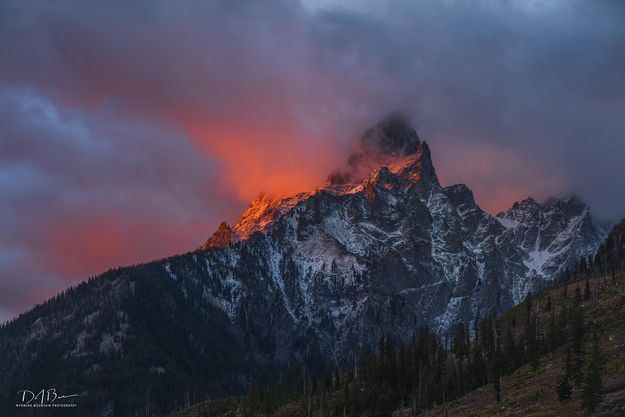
<point x="527" y="391"/>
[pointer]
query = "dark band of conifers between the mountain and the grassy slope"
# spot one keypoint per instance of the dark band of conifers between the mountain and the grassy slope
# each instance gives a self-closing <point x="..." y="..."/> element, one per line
<point x="432" y="370"/>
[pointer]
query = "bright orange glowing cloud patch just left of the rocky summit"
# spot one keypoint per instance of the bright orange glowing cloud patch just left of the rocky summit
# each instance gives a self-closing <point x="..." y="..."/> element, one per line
<point x="278" y="160"/>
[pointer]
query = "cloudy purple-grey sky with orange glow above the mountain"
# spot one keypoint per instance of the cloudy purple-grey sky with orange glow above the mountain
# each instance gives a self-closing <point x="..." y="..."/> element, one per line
<point x="130" y="130"/>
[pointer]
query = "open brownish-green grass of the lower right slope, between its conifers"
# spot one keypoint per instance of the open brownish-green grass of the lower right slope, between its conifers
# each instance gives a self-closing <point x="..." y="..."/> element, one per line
<point x="525" y="393"/>
